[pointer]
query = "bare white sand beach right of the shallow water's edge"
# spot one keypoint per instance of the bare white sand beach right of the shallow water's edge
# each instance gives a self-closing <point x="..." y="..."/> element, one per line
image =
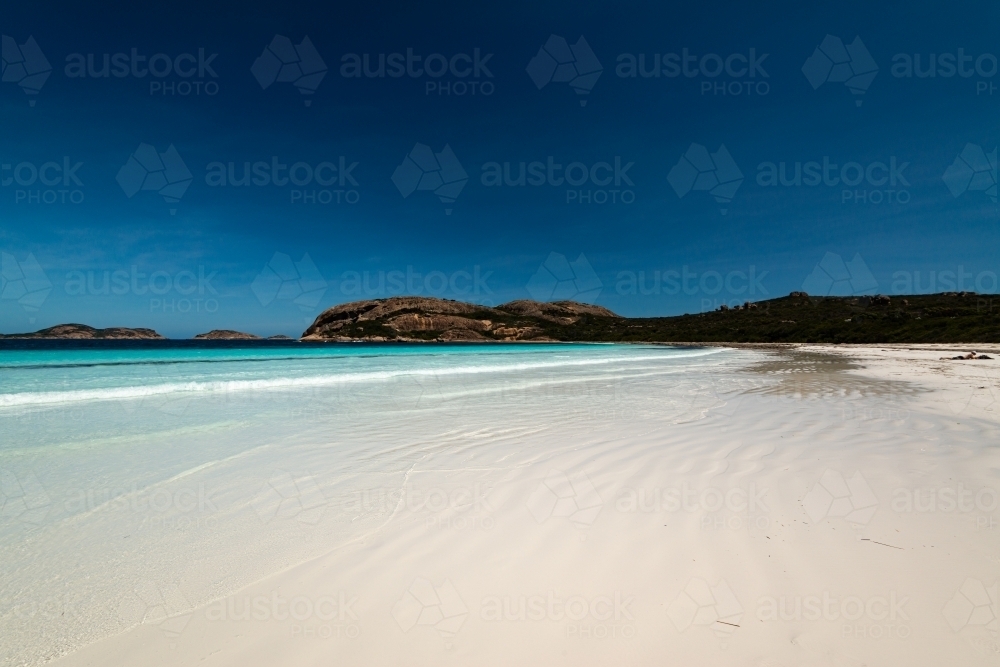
<point x="811" y="506"/>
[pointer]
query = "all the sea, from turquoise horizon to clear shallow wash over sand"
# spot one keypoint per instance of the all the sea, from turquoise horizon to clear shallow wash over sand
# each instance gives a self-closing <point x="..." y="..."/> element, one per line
<point x="122" y="466"/>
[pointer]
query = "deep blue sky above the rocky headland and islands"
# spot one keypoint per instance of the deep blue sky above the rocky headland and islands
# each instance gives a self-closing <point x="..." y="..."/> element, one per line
<point x="190" y="166"/>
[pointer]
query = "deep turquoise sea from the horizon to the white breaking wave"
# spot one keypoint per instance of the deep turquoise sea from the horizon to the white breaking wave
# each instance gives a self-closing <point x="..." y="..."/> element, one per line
<point x="51" y="377"/>
